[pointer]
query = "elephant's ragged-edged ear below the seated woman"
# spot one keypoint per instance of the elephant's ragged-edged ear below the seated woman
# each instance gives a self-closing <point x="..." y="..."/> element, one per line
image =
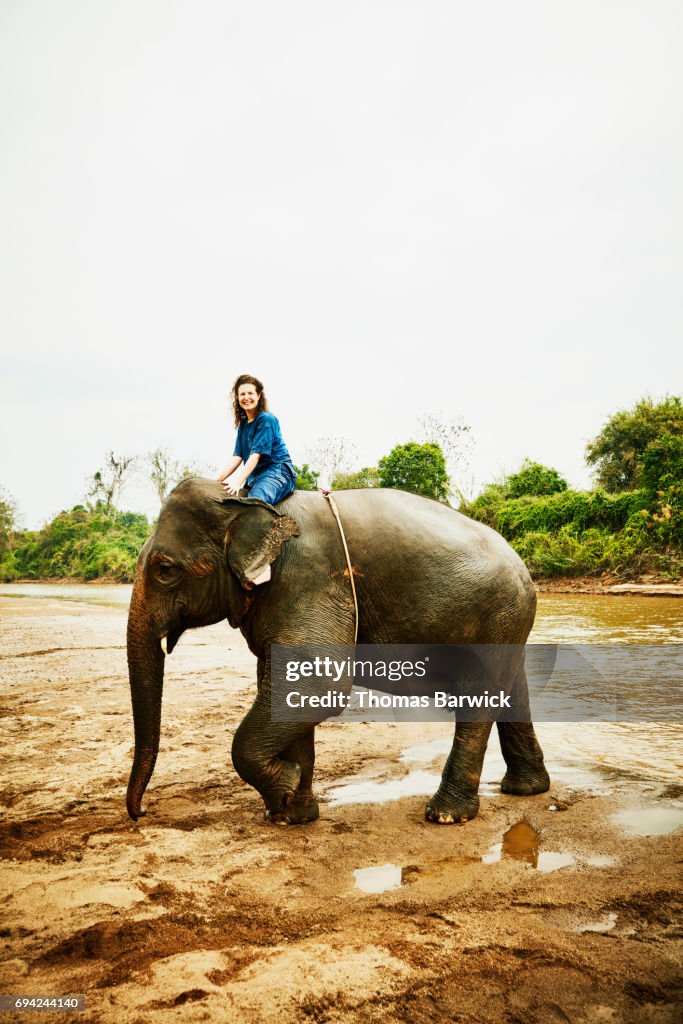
<point x="255" y="537"/>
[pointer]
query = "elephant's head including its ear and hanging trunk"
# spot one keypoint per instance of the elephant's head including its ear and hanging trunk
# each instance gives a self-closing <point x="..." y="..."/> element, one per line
<point x="197" y="569"/>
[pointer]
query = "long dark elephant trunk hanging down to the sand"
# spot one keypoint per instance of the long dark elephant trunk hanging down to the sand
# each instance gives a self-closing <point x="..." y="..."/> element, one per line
<point x="146" y="670"/>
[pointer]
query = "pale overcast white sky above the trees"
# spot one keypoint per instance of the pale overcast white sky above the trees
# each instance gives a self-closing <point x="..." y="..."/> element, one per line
<point x="380" y="209"/>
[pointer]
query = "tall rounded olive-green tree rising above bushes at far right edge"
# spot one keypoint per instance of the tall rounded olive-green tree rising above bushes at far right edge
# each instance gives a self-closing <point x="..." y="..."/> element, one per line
<point x="618" y="452"/>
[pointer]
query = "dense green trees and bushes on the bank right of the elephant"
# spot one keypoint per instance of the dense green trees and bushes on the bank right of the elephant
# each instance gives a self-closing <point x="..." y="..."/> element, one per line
<point x="632" y="526"/>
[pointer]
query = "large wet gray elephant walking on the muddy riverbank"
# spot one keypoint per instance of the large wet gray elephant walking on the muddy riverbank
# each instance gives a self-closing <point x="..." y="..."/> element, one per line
<point x="424" y="574"/>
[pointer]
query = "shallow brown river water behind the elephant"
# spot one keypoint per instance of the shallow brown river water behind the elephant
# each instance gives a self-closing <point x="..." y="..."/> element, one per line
<point x="582" y="753"/>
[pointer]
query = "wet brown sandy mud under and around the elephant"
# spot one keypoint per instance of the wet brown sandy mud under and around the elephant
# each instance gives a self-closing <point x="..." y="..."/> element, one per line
<point x="205" y="912"/>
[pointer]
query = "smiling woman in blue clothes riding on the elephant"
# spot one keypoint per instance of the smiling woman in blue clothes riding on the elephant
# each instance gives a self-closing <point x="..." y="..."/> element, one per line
<point x="261" y="460"/>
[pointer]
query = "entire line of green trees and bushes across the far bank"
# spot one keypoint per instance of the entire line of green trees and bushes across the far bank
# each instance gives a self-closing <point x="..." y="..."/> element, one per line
<point x="631" y="526"/>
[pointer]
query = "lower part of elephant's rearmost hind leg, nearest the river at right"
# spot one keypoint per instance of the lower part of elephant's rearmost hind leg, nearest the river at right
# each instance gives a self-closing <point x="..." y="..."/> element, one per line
<point x="527" y="773"/>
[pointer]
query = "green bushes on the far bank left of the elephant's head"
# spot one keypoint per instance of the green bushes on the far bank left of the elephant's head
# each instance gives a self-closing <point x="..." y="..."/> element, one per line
<point x="83" y="544"/>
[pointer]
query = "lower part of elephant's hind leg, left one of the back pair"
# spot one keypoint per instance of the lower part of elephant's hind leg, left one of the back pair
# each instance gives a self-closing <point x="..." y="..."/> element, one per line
<point x="457" y="799"/>
